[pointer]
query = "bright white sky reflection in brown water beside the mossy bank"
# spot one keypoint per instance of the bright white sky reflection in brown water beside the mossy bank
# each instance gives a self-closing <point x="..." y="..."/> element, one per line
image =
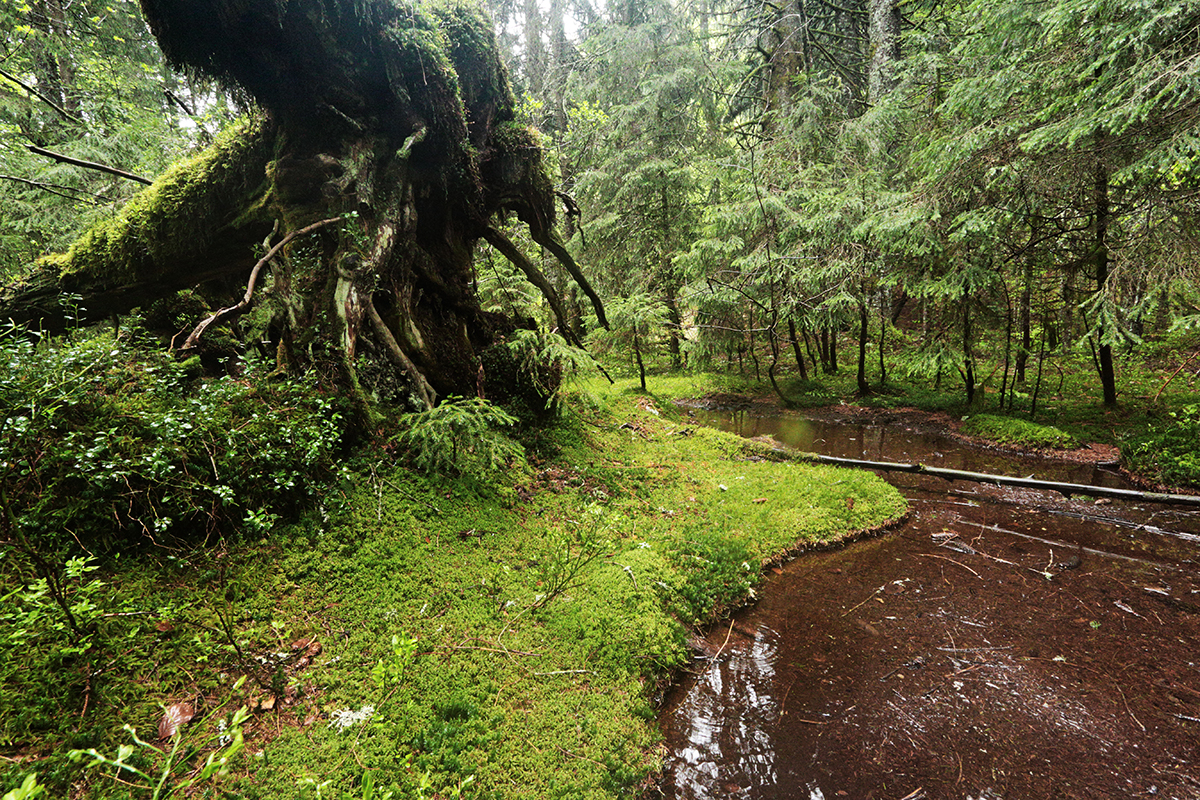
<point x="733" y="711"/>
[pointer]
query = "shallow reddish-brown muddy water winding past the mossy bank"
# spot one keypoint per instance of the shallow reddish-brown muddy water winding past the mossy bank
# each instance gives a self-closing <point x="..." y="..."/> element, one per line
<point x="1004" y="643"/>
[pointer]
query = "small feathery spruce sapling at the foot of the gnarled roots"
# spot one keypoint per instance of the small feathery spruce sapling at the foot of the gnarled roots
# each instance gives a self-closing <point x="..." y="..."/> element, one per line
<point x="459" y="437"/>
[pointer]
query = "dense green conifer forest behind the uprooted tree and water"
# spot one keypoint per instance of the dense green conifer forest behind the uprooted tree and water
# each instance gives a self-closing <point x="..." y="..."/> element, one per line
<point x="754" y="184"/>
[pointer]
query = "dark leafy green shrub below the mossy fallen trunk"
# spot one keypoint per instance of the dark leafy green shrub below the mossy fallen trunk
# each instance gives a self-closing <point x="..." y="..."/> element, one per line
<point x="104" y="440"/>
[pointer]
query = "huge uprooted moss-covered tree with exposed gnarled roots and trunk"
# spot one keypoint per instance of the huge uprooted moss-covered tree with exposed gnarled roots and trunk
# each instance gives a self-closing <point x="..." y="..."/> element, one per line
<point x="395" y="117"/>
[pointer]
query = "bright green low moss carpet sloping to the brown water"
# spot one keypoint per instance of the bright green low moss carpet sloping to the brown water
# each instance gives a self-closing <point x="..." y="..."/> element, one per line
<point x="431" y="637"/>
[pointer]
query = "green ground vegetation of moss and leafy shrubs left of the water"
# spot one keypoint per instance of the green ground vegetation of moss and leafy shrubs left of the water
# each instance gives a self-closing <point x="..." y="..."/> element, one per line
<point x="317" y="622"/>
